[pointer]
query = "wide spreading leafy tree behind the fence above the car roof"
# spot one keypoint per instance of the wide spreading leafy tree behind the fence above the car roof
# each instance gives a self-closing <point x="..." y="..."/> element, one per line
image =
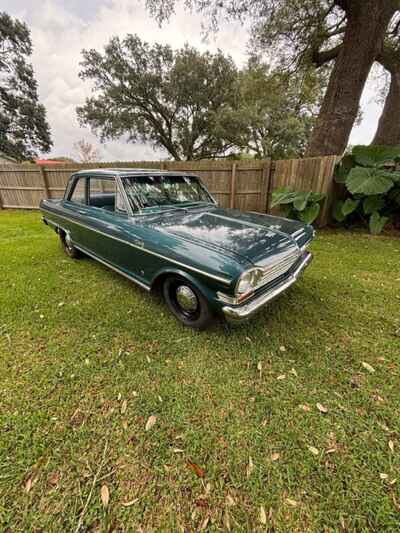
<point x="181" y="101"/>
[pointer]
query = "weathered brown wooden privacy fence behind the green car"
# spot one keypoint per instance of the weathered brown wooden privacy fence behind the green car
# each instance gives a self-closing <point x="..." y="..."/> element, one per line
<point x="246" y="184"/>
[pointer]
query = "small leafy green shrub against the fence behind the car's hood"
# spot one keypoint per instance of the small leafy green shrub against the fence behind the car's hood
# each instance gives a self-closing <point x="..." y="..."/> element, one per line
<point x="299" y="205"/>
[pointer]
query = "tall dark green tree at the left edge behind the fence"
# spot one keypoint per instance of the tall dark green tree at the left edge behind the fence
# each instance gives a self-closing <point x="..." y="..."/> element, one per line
<point x="23" y="127"/>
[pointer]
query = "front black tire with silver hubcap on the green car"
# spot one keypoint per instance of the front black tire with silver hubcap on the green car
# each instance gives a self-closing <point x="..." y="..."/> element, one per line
<point x="199" y="317"/>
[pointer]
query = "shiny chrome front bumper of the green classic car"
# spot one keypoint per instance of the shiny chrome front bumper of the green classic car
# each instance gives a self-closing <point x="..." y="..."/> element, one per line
<point x="245" y="311"/>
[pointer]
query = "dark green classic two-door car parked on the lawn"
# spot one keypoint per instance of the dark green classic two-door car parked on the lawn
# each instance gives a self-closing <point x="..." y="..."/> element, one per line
<point x="164" y="230"/>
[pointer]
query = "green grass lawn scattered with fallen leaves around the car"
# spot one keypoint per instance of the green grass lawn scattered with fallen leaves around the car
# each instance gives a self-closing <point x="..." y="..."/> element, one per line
<point x="79" y="344"/>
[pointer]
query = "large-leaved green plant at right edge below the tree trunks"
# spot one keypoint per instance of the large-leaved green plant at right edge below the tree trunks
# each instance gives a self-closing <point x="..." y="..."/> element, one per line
<point x="372" y="186"/>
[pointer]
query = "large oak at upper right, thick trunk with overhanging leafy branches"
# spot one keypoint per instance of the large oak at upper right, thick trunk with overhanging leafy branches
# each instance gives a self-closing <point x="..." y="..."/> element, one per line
<point x="349" y="32"/>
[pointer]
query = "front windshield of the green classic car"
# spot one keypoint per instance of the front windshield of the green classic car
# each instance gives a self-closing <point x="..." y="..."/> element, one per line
<point x="164" y="190"/>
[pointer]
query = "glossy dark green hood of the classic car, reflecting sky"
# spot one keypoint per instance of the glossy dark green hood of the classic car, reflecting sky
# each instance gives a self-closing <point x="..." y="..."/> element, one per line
<point x="255" y="237"/>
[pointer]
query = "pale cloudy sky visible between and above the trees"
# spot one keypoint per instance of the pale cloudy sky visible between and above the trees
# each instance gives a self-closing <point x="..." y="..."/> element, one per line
<point x="61" y="29"/>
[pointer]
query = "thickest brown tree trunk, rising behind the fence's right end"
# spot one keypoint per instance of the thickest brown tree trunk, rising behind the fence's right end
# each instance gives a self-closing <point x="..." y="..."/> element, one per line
<point x="367" y="21"/>
